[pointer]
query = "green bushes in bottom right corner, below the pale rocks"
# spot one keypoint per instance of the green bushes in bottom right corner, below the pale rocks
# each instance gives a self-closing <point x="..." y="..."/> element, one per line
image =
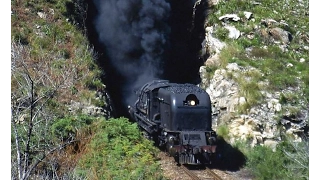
<point x="290" y="160"/>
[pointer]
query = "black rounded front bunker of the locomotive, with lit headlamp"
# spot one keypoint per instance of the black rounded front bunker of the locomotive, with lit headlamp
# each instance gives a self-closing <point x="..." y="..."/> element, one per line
<point x="185" y="107"/>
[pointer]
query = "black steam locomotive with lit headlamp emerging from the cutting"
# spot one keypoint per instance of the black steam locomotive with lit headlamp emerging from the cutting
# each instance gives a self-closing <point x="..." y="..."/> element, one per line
<point x="177" y="117"/>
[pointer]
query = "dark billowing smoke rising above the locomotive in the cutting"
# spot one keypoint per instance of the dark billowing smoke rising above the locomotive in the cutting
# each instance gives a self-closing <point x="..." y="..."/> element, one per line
<point x="135" y="34"/>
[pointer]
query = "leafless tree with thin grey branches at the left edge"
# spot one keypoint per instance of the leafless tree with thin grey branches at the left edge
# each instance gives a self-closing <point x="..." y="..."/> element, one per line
<point x="33" y="106"/>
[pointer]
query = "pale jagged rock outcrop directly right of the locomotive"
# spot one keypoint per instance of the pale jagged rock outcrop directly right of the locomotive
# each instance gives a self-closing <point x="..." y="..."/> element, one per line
<point x="261" y="124"/>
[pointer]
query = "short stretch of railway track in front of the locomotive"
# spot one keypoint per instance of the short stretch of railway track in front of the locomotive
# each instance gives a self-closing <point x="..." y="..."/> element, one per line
<point x="195" y="173"/>
